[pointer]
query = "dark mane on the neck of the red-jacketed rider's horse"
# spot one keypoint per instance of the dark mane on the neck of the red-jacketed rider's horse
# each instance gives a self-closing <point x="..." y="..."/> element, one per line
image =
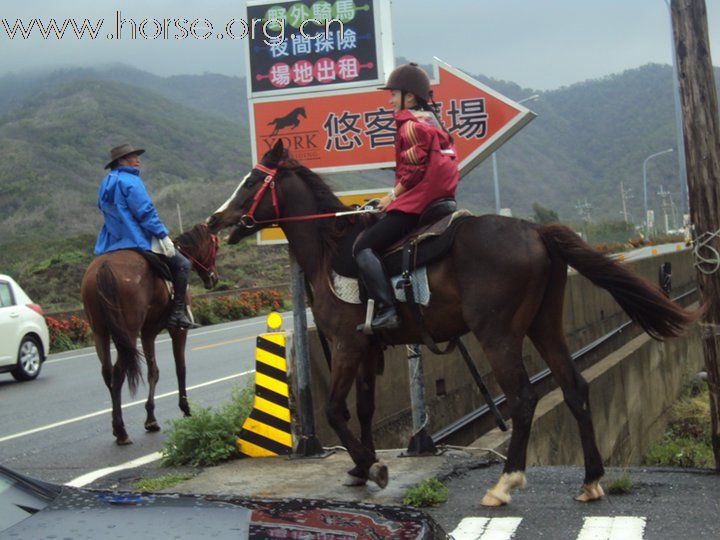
<point x="330" y="230"/>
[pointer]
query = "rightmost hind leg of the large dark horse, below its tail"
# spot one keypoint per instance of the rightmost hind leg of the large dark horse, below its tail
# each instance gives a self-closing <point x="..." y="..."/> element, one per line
<point x="547" y="336"/>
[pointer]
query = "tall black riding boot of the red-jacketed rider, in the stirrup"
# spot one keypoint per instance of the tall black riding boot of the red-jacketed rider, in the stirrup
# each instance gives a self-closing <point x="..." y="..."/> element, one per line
<point x="379" y="289"/>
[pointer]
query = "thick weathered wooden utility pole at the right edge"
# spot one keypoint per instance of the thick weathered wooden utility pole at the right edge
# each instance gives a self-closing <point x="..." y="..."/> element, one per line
<point x="701" y="128"/>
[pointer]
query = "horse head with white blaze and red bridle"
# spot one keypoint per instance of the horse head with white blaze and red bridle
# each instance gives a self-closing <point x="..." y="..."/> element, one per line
<point x="249" y="205"/>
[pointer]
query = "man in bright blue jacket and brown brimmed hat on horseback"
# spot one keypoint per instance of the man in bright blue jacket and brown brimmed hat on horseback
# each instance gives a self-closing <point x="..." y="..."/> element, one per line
<point x="132" y="222"/>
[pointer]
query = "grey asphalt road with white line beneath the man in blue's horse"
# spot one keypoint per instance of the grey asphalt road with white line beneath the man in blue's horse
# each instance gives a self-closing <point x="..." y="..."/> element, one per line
<point x="58" y="427"/>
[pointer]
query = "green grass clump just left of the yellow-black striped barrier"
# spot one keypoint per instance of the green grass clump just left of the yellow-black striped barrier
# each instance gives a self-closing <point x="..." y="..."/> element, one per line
<point x="208" y="436"/>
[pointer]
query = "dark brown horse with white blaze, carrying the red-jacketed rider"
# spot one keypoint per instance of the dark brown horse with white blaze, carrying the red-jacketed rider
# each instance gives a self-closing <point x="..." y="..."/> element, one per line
<point x="500" y="295"/>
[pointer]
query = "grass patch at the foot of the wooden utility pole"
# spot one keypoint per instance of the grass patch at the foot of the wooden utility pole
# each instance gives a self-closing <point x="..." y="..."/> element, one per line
<point x="687" y="440"/>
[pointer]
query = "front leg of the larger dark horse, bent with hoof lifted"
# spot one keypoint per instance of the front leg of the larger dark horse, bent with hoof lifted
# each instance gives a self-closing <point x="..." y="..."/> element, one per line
<point x="344" y="370"/>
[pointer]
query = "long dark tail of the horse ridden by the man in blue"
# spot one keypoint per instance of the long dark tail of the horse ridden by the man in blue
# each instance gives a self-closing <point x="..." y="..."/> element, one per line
<point x="128" y="354"/>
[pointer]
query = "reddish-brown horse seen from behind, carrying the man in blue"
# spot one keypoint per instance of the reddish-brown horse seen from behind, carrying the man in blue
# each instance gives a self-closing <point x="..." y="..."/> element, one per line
<point x="123" y="299"/>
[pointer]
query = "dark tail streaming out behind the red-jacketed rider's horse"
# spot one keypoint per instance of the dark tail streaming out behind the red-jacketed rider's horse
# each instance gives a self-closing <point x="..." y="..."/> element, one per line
<point x="642" y="301"/>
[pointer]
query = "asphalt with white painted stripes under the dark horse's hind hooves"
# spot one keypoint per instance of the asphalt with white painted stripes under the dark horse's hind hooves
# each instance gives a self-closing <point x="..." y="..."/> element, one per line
<point x="664" y="504"/>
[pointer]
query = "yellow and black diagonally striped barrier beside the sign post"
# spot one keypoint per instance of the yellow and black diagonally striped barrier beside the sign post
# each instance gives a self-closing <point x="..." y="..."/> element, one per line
<point x="267" y="431"/>
